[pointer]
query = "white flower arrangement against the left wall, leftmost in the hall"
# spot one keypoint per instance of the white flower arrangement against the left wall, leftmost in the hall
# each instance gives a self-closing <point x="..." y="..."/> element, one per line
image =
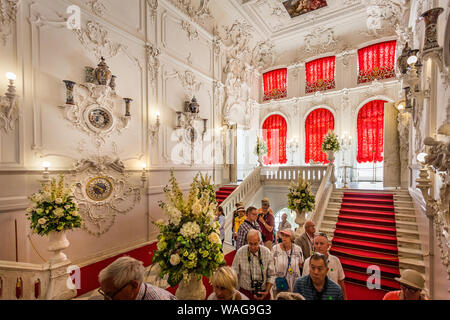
<point x="53" y="209"/>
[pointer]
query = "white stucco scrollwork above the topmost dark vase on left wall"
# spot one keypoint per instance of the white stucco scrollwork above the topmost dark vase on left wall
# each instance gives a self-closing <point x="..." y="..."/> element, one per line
<point x="94" y="37"/>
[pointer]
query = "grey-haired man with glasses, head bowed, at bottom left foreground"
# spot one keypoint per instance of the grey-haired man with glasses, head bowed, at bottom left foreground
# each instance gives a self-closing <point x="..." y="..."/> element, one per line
<point x="124" y="280"/>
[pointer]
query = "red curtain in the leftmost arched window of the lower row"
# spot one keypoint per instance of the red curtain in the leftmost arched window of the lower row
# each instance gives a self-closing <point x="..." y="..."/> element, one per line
<point x="274" y="134"/>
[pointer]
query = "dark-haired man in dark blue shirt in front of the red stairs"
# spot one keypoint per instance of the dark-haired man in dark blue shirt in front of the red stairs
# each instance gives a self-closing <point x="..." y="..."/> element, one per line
<point x="317" y="285"/>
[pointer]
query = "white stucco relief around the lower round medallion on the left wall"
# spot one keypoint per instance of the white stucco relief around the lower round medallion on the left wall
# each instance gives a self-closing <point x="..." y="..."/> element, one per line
<point x="103" y="191"/>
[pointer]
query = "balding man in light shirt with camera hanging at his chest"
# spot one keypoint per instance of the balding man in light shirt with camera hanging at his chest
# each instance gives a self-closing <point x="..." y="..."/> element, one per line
<point x="254" y="266"/>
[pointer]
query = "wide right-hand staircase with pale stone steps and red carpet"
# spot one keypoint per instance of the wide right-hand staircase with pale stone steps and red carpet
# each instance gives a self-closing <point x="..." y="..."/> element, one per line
<point x="373" y="228"/>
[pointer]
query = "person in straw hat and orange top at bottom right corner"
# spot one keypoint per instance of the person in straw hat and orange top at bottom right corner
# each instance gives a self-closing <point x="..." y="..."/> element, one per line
<point x="412" y="284"/>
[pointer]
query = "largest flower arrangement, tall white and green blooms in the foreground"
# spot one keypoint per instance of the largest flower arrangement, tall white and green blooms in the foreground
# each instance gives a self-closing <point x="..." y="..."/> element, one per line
<point x="189" y="243"/>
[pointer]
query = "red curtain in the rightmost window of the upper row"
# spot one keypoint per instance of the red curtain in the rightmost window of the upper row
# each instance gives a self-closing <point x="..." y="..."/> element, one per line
<point x="376" y="62"/>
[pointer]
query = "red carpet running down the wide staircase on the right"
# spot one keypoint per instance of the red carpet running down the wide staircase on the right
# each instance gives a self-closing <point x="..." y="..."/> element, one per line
<point x="365" y="235"/>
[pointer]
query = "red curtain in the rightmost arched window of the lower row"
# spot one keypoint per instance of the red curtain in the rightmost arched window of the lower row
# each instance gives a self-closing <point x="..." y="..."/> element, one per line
<point x="371" y="132"/>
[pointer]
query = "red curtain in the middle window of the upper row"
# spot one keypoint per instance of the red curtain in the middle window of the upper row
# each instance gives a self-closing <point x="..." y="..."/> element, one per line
<point x="320" y="74"/>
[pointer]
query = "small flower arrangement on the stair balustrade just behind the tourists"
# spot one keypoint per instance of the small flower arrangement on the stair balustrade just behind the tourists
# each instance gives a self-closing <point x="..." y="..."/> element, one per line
<point x="300" y="196"/>
